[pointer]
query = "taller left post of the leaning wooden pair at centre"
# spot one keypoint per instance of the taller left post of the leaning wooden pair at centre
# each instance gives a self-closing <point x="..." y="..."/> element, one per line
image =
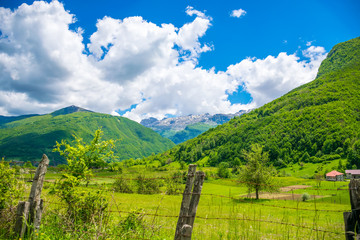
<point x="185" y="204"/>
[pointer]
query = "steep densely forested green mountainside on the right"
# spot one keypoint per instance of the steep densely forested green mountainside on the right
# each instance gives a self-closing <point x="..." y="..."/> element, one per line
<point x="316" y="122"/>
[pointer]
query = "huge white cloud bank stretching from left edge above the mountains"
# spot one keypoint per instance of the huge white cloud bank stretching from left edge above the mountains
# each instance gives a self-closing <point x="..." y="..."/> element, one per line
<point x="131" y="63"/>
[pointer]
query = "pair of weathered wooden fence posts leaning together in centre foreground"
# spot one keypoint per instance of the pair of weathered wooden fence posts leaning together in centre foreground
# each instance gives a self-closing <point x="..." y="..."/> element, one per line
<point x="189" y="204"/>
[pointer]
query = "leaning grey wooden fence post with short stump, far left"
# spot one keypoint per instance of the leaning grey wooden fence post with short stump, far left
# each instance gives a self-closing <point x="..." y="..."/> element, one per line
<point x="29" y="213"/>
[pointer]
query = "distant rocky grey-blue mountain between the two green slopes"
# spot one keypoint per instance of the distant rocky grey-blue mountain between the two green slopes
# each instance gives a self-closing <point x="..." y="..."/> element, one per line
<point x="181" y="129"/>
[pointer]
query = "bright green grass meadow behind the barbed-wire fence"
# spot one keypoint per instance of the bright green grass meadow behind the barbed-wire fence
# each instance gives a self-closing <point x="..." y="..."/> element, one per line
<point x="224" y="211"/>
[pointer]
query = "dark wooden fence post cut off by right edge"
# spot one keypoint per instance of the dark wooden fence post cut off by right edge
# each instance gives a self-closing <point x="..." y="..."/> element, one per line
<point x="352" y="219"/>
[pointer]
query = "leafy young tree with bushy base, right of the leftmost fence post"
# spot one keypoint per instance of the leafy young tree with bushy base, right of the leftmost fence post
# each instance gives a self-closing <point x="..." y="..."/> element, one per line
<point x="83" y="207"/>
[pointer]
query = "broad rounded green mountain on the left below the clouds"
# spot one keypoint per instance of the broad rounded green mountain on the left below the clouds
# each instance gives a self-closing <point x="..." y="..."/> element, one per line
<point x="28" y="137"/>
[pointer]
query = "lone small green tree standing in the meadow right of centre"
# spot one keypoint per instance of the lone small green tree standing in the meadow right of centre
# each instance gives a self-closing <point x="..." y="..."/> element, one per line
<point x="256" y="174"/>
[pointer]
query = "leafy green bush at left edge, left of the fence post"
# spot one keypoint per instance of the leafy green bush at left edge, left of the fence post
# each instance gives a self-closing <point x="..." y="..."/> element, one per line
<point x="10" y="187"/>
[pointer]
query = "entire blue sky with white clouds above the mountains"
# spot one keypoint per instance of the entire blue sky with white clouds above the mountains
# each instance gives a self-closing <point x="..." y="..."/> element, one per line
<point x="218" y="63"/>
